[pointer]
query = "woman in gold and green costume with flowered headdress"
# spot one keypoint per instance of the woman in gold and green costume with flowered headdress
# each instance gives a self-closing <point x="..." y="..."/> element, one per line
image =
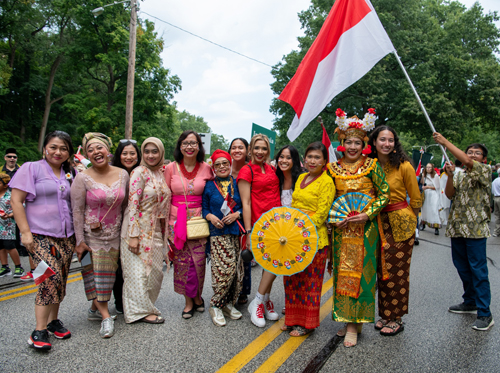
<point x="356" y="238"/>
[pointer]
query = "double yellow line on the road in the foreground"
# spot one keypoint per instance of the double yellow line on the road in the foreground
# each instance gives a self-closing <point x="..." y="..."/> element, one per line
<point x="283" y="352"/>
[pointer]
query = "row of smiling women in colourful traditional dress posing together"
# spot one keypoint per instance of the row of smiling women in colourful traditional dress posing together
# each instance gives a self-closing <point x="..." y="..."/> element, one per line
<point x="130" y="217"/>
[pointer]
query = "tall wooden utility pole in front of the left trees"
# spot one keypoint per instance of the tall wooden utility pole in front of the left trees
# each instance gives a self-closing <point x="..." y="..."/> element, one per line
<point x="129" y="110"/>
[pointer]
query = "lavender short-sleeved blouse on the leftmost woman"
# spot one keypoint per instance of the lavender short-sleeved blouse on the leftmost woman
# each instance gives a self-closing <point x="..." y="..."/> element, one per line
<point x="48" y="201"/>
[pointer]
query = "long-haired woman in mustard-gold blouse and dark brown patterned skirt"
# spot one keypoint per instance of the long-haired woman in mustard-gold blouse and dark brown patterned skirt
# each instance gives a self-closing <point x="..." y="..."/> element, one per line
<point x="399" y="219"/>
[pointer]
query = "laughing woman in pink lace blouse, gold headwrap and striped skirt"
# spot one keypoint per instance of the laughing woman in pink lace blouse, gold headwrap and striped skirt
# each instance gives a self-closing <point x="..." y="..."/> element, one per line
<point x="97" y="197"/>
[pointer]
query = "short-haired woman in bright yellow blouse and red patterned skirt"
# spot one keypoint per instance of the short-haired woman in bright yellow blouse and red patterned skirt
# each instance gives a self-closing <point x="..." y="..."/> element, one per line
<point x="313" y="195"/>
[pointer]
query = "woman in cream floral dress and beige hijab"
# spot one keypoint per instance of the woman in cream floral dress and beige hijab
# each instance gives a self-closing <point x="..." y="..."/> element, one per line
<point x="142" y="243"/>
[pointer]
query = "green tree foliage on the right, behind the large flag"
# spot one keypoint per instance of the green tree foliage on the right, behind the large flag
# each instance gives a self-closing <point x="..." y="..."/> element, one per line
<point x="449" y="53"/>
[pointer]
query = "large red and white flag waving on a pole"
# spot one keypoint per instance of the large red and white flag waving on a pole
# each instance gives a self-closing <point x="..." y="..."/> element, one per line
<point x="351" y="41"/>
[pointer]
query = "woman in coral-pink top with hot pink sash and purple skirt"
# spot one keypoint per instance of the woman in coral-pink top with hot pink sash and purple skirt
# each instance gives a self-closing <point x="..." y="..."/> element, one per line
<point x="186" y="177"/>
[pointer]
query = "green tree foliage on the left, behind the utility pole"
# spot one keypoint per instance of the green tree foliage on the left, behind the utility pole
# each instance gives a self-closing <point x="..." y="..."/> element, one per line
<point x="57" y="58"/>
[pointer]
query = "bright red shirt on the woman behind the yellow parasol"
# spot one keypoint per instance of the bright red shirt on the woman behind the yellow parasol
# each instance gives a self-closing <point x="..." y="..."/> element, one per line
<point x="265" y="188"/>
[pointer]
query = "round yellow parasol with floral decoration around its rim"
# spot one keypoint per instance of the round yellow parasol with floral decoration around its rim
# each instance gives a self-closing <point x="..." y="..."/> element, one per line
<point x="284" y="241"/>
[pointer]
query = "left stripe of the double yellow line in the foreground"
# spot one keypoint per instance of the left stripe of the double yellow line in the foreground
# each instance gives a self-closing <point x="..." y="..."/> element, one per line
<point x="258" y="344"/>
